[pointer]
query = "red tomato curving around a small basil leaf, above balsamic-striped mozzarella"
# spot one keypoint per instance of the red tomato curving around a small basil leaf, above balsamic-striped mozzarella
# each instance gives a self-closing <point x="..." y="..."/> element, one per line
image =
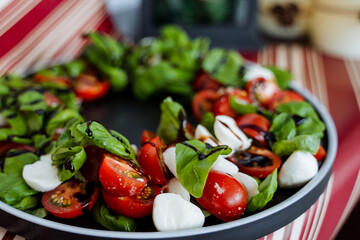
<point x="222" y="105"/>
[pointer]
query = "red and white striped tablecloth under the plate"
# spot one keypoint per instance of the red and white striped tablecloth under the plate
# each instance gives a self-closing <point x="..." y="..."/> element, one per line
<point x="34" y="33"/>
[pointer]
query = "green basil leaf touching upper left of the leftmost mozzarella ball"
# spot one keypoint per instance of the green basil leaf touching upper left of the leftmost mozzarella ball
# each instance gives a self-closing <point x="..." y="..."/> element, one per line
<point x="14" y="165"/>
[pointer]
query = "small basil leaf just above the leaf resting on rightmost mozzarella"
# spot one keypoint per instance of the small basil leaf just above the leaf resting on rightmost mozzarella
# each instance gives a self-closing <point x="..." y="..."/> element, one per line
<point x="283" y="127"/>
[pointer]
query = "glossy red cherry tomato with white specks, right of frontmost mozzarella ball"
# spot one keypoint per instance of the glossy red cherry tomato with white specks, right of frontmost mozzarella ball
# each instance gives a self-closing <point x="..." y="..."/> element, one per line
<point x="223" y="196"/>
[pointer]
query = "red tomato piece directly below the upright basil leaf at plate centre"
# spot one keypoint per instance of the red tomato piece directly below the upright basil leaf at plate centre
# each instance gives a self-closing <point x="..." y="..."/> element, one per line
<point x="150" y="158"/>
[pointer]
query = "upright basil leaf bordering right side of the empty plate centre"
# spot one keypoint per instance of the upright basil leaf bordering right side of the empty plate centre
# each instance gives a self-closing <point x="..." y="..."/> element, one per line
<point x="172" y="116"/>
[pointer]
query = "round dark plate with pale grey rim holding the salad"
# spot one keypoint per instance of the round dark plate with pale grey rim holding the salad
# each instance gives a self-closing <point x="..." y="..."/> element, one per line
<point x="130" y="117"/>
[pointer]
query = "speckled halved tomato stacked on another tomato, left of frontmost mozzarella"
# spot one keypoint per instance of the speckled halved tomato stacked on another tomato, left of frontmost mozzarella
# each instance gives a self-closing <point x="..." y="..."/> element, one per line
<point x="121" y="177"/>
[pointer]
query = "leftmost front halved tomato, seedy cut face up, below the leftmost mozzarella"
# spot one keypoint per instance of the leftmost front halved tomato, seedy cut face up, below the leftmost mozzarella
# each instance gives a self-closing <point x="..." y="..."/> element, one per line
<point x="71" y="199"/>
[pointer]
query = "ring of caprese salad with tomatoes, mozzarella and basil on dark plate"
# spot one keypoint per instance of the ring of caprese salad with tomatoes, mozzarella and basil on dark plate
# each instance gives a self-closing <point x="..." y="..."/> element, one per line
<point x="253" y="135"/>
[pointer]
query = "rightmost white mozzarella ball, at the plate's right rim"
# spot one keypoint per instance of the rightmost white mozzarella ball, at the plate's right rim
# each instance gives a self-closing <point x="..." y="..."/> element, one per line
<point x="298" y="169"/>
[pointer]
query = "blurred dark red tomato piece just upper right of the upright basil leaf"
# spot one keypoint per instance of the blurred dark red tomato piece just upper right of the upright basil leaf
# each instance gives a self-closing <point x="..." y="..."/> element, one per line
<point x="203" y="102"/>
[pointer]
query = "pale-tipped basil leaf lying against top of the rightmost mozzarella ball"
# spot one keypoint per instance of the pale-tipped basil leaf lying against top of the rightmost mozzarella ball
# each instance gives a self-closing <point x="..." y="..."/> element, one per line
<point x="309" y="143"/>
